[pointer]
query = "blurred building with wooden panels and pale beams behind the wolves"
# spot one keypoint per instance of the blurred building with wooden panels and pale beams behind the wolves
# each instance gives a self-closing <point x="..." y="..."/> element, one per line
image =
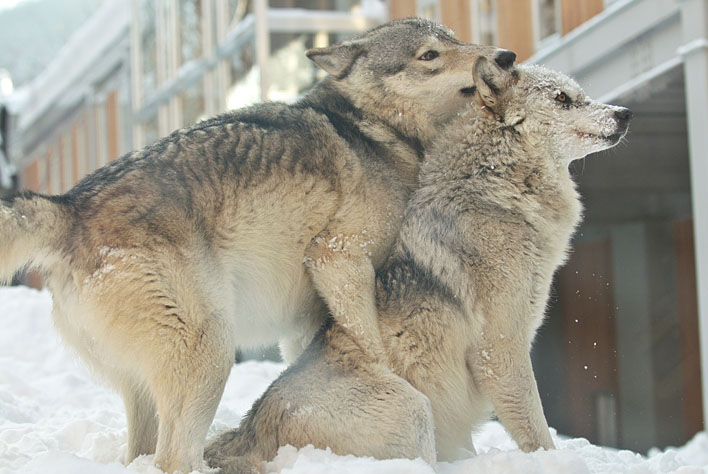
<point x="619" y="360"/>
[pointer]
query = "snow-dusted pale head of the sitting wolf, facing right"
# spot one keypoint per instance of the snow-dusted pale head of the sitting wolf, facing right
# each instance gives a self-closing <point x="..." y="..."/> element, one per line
<point x="551" y="112"/>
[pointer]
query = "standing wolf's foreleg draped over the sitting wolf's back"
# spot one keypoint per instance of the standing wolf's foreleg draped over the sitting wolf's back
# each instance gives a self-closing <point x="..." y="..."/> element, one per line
<point x="344" y="276"/>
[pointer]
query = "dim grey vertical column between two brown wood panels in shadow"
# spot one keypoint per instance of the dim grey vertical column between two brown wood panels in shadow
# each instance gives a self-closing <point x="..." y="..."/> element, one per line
<point x="634" y="360"/>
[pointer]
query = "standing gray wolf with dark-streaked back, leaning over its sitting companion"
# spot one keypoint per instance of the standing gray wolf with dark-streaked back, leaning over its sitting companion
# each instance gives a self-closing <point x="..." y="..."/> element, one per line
<point x="166" y="260"/>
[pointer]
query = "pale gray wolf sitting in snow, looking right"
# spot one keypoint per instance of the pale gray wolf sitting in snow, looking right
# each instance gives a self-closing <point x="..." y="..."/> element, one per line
<point x="461" y="296"/>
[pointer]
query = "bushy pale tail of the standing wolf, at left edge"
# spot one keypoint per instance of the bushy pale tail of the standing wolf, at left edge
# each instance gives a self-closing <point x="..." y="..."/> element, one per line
<point x="31" y="225"/>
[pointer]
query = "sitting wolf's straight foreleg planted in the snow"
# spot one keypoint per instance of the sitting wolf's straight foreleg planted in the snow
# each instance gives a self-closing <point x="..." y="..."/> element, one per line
<point x="502" y="368"/>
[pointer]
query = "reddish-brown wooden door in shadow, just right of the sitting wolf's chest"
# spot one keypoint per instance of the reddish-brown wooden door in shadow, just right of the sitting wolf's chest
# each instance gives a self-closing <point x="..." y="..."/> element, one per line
<point x="588" y="316"/>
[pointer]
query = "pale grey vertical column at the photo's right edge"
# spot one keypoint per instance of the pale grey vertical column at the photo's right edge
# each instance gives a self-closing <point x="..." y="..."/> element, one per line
<point x="694" y="22"/>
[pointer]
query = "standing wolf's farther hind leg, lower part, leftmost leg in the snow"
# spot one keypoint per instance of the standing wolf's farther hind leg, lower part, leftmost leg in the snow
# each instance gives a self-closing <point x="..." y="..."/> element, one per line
<point x="142" y="421"/>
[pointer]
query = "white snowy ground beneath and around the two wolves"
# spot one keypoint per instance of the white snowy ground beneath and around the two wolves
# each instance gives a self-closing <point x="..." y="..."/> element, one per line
<point x="55" y="418"/>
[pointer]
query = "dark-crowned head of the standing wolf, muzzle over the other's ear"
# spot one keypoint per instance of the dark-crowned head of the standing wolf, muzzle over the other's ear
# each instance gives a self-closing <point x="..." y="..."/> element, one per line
<point x="409" y="70"/>
